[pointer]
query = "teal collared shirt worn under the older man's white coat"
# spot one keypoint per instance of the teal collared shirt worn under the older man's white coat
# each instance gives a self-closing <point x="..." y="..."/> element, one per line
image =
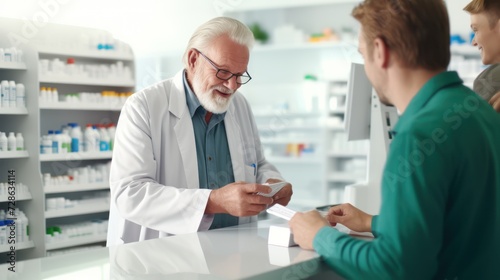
<point x="215" y="169"/>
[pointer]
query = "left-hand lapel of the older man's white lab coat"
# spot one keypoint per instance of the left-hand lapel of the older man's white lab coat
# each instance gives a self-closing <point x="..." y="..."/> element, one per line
<point x="184" y="132"/>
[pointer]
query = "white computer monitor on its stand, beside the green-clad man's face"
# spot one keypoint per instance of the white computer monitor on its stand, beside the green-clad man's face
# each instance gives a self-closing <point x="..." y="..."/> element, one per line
<point x="367" y="118"/>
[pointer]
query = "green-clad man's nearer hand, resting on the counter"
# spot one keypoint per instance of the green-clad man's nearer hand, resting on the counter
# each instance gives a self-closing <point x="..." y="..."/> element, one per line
<point x="305" y="226"/>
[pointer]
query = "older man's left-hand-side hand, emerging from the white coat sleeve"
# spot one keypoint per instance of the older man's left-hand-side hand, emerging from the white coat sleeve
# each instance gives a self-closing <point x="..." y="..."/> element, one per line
<point x="238" y="199"/>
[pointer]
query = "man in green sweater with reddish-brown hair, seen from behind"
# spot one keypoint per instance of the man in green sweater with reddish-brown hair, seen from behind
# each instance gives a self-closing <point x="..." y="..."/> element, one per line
<point x="440" y="212"/>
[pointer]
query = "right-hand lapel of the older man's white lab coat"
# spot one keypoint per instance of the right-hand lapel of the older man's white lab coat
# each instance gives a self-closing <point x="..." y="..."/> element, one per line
<point x="235" y="143"/>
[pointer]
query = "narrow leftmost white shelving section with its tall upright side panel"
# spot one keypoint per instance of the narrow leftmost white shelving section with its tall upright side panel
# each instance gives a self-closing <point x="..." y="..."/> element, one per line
<point x="24" y="163"/>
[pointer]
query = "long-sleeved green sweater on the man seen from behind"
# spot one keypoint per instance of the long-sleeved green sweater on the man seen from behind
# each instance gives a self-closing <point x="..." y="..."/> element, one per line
<point x="440" y="213"/>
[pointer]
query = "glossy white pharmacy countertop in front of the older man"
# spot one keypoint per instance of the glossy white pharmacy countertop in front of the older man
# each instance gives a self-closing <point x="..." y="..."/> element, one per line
<point x="238" y="252"/>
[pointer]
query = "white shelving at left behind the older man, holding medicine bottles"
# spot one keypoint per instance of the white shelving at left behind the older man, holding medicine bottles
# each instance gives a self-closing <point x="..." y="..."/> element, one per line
<point x="39" y="117"/>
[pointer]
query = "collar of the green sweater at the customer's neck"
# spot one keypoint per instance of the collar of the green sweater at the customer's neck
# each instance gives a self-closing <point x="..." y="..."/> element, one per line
<point x="432" y="87"/>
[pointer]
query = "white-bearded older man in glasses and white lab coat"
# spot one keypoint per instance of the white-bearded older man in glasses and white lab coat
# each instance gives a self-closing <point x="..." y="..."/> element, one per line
<point x="187" y="153"/>
